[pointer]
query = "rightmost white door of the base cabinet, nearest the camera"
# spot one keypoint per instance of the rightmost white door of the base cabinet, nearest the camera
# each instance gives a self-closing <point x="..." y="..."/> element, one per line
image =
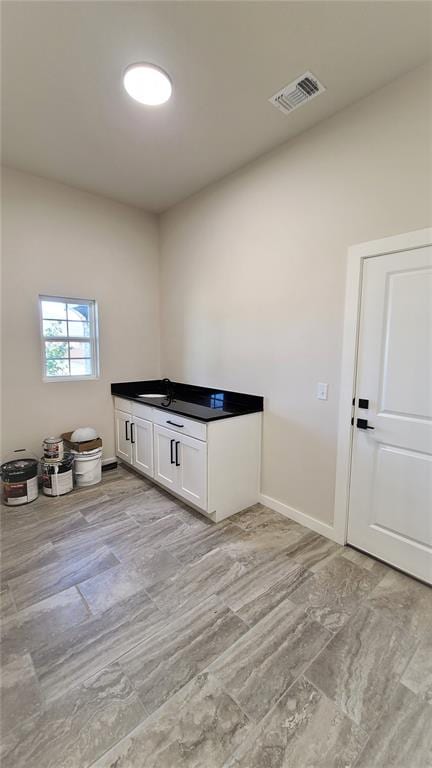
<point x="192" y="470"/>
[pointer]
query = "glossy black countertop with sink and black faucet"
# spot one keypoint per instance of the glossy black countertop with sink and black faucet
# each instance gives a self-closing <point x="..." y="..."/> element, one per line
<point x="200" y="403"/>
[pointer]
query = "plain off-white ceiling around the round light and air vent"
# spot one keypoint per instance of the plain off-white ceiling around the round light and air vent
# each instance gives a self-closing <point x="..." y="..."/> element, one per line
<point x="67" y="117"/>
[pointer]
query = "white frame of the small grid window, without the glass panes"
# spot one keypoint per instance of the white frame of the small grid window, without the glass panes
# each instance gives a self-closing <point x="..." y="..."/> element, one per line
<point x="93" y="339"/>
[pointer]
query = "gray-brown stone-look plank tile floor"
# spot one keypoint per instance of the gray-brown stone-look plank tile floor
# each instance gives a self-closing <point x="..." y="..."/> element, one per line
<point x="135" y="634"/>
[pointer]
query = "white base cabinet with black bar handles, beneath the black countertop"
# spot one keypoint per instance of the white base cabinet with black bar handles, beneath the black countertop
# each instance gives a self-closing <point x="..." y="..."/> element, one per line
<point x="213" y="466"/>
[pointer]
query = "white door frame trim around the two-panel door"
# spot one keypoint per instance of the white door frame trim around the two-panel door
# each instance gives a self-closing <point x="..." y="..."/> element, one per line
<point x="408" y="241"/>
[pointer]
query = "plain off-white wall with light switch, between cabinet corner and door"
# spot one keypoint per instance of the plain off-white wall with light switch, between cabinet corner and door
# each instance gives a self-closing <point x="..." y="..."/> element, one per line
<point x="253" y="272"/>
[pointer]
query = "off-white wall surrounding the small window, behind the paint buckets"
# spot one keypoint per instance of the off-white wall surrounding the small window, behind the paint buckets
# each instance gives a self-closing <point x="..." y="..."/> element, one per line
<point x="61" y="241"/>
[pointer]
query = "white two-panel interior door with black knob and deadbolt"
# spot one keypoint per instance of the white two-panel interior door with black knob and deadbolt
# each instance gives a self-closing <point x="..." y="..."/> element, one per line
<point x="390" y="513"/>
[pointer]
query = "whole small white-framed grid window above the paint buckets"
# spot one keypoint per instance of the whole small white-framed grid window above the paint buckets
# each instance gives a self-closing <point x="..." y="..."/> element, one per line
<point x="69" y="338"/>
